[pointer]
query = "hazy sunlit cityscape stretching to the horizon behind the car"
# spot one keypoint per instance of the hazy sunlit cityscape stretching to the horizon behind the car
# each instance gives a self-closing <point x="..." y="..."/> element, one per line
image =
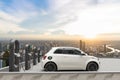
<point x="94" y="48"/>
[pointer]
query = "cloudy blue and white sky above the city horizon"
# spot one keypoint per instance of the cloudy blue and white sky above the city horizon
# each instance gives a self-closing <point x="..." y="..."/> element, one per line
<point x="60" y="19"/>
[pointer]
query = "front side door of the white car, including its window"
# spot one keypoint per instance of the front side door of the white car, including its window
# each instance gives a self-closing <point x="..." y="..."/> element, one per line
<point x="72" y="60"/>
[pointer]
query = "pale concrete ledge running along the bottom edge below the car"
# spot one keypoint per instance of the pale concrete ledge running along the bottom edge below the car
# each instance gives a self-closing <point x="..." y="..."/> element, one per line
<point x="59" y="76"/>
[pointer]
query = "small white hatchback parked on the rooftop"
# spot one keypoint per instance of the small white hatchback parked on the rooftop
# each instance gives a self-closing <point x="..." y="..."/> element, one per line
<point x="69" y="58"/>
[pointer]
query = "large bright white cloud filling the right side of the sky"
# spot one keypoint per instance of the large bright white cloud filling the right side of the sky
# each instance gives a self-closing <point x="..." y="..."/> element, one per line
<point x="86" y="17"/>
